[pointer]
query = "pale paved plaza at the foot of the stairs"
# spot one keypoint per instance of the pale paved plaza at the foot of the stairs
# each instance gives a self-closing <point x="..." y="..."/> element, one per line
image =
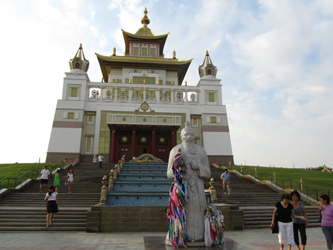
<point x="260" y="239"/>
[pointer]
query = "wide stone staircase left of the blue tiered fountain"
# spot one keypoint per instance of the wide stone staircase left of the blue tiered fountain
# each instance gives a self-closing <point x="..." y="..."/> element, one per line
<point x="25" y="209"/>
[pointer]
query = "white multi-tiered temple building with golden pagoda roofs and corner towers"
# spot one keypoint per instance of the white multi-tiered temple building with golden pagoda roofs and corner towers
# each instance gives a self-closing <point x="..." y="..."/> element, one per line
<point x="140" y="106"/>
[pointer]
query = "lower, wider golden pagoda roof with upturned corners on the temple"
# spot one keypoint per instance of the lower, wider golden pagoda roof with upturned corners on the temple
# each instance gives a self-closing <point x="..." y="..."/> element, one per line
<point x="108" y="62"/>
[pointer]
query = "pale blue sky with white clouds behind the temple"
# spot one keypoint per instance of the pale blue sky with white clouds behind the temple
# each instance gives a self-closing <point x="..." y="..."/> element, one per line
<point x="274" y="59"/>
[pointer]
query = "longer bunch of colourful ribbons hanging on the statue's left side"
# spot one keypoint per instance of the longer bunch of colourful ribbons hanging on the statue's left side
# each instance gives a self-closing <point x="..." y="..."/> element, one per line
<point x="177" y="197"/>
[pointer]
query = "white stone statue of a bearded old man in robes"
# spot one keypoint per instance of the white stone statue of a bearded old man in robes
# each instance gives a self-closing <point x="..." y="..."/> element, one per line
<point x="198" y="168"/>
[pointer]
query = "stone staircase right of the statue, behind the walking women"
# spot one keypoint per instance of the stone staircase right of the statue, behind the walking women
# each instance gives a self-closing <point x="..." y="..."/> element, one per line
<point x="256" y="200"/>
